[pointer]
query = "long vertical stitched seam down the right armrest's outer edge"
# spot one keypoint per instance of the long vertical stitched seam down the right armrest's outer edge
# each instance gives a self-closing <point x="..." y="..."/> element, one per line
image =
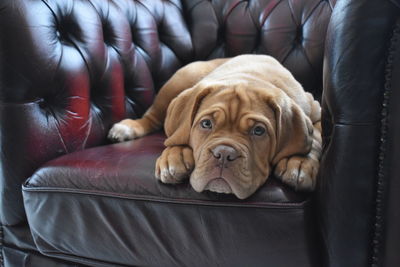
<point x="378" y="226"/>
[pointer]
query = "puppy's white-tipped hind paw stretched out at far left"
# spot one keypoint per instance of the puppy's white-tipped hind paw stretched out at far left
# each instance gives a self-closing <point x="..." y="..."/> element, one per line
<point x="124" y="130"/>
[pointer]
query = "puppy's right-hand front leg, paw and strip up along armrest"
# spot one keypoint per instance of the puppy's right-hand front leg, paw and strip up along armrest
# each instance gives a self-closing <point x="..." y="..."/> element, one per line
<point x="300" y="172"/>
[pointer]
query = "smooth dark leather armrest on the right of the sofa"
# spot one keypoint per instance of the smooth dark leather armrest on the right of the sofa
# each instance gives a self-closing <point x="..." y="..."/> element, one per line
<point x="354" y="168"/>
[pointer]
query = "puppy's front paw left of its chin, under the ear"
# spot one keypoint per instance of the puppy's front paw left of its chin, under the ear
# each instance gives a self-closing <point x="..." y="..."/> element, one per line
<point x="175" y="164"/>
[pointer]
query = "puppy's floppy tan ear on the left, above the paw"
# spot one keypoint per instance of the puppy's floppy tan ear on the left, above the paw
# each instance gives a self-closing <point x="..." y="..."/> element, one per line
<point x="180" y="115"/>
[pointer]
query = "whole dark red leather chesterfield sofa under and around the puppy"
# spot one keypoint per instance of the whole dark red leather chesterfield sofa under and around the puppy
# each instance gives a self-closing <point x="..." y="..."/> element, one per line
<point x="69" y="69"/>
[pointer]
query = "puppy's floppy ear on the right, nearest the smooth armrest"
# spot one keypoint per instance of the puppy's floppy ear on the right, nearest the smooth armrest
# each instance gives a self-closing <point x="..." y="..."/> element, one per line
<point x="294" y="129"/>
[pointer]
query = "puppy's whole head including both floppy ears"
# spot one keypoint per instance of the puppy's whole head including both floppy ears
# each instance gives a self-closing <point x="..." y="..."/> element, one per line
<point x="237" y="133"/>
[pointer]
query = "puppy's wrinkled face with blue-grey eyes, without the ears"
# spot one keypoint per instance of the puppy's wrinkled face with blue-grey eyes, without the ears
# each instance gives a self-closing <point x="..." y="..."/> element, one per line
<point x="233" y="142"/>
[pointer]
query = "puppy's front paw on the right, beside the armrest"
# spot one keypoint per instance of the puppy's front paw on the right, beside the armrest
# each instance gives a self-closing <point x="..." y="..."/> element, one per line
<point x="298" y="172"/>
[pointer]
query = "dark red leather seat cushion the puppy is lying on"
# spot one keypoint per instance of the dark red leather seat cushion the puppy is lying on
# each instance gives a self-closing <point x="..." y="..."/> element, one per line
<point x="104" y="203"/>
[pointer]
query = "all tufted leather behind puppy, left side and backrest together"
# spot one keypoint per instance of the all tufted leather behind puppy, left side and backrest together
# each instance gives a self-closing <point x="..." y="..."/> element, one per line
<point x="71" y="68"/>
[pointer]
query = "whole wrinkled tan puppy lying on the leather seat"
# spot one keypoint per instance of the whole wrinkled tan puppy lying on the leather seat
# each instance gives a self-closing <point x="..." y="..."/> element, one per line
<point x="229" y="122"/>
